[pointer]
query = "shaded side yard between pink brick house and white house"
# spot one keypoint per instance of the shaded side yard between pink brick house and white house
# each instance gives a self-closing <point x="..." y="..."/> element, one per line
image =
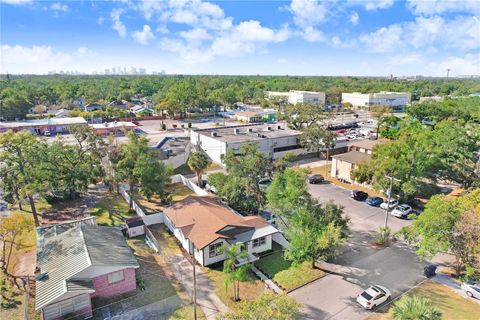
<point x="160" y="293"/>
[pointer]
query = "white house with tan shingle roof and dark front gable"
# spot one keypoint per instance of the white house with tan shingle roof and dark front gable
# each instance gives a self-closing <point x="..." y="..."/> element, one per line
<point x="205" y="227"/>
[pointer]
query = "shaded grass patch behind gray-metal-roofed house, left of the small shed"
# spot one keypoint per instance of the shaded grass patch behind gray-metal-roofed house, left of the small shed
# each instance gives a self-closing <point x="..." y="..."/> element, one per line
<point x="111" y="210"/>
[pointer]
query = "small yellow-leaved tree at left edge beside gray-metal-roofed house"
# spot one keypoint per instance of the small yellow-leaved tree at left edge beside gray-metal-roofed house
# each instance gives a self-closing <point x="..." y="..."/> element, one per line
<point x="11" y="228"/>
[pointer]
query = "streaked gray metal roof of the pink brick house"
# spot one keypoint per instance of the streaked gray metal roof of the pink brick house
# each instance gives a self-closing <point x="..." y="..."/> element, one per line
<point x="63" y="256"/>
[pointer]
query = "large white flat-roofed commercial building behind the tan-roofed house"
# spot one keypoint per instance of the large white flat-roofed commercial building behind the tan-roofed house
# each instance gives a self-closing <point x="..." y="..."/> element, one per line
<point x="272" y="140"/>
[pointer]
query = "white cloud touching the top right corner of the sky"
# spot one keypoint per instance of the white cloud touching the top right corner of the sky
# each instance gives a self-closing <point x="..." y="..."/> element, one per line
<point x="433" y="7"/>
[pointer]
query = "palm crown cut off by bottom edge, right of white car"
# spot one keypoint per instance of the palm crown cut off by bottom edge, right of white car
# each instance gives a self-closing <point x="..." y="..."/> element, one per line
<point x="415" y="308"/>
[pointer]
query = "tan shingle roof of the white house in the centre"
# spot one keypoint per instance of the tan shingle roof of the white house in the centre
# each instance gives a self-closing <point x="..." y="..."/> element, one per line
<point x="202" y="219"/>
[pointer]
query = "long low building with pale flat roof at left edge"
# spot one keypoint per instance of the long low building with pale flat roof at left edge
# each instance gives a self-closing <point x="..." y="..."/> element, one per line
<point x="43" y="126"/>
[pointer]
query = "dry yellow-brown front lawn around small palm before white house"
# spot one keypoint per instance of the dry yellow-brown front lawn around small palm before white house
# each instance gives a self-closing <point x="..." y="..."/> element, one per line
<point x="249" y="290"/>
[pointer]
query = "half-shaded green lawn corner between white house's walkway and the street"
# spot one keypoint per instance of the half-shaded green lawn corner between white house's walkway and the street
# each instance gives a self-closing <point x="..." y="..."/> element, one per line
<point x="286" y="275"/>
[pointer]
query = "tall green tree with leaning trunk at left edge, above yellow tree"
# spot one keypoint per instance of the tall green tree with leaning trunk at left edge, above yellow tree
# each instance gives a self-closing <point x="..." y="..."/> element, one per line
<point x="22" y="155"/>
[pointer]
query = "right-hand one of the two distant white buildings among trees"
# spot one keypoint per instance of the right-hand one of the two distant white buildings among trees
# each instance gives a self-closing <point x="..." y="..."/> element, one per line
<point x="396" y="100"/>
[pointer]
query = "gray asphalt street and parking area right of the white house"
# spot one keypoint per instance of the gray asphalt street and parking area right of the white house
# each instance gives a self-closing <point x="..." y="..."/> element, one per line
<point x="360" y="264"/>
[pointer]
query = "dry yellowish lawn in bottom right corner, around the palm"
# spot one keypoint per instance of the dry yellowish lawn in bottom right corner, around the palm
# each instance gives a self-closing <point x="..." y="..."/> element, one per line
<point x="452" y="305"/>
